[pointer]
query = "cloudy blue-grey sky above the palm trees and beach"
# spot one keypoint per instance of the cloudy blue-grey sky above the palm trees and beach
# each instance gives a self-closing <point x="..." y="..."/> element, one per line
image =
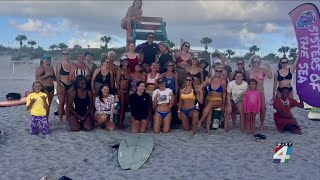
<point x="231" y="24"/>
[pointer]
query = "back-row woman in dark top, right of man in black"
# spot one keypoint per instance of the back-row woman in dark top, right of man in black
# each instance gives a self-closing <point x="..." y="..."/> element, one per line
<point x="165" y="56"/>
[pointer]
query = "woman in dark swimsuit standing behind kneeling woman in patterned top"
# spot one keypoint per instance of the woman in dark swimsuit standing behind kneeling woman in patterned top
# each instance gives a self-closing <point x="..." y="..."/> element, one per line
<point x="102" y="75"/>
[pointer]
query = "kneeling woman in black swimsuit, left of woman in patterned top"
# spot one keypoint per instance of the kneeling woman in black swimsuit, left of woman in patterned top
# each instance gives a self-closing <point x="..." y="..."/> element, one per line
<point x="80" y="106"/>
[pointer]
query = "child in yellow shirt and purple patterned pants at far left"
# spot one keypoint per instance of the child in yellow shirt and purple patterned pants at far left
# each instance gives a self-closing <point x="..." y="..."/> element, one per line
<point x="37" y="103"/>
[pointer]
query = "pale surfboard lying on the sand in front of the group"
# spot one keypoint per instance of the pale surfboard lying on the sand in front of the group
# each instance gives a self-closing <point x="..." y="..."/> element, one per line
<point x="134" y="151"/>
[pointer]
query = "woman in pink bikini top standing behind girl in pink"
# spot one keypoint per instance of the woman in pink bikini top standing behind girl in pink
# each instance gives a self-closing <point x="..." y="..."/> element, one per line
<point x="258" y="73"/>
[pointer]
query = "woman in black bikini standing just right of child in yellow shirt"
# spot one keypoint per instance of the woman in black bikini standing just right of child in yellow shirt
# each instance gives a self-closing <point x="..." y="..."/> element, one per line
<point x="63" y="82"/>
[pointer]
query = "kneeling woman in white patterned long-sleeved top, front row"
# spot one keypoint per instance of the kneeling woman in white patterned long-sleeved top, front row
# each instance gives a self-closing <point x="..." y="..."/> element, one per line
<point x="104" y="105"/>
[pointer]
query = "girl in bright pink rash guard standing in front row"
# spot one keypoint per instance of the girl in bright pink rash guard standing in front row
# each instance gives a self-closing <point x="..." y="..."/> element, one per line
<point x="251" y="105"/>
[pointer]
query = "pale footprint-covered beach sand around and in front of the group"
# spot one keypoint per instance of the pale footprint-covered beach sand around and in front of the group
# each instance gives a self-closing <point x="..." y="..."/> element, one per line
<point x="177" y="155"/>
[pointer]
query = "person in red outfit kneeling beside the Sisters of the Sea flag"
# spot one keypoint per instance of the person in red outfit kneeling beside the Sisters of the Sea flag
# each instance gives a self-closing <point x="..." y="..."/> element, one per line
<point x="283" y="118"/>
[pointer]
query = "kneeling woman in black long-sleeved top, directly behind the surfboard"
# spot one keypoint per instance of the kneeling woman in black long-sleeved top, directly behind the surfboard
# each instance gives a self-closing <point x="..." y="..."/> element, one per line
<point x="139" y="103"/>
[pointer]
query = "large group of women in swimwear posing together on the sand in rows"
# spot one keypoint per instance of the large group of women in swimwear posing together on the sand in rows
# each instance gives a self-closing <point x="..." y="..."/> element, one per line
<point x="177" y="89"/>
